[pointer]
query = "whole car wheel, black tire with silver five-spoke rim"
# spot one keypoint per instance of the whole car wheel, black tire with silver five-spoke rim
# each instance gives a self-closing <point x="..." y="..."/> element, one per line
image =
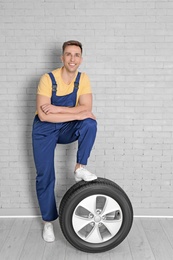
<point x="95" y="216"/>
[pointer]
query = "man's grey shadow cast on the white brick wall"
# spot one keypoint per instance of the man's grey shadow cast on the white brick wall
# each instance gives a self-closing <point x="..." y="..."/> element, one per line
<point x="28" y="114"/>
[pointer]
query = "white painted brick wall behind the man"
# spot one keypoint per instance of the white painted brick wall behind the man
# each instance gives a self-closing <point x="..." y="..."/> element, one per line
<point x="128" y="54"/>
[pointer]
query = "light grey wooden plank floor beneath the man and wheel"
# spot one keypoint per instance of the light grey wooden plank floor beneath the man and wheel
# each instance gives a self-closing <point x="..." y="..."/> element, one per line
<point x="149" y="238"/>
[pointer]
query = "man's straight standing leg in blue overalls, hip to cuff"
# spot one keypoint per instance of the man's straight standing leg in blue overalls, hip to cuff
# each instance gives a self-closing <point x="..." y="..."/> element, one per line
<point x="44" y="143"/>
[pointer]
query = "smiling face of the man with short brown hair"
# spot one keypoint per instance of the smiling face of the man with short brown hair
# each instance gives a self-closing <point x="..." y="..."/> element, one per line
<point x="72" y="58"/>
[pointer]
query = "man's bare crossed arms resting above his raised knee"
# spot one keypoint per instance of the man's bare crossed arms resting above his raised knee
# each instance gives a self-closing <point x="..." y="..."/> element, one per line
<point x="57" y="114"/>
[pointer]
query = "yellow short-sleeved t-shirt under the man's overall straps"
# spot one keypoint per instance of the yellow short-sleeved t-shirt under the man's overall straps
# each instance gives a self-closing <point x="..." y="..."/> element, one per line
<point x="45" y="85"/>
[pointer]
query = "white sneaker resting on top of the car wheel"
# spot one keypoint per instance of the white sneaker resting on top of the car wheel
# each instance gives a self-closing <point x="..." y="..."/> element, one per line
<point x="83" y="174"/>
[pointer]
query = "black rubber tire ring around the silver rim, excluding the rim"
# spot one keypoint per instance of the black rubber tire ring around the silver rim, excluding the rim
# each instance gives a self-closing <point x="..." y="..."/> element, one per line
<point x="77" y="193"/>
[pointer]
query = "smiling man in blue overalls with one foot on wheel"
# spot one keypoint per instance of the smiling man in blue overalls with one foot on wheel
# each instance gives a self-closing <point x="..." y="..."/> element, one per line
<point x="64" y="115"/>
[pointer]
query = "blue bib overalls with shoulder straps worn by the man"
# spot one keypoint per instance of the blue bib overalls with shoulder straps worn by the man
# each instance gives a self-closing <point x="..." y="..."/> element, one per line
<point x="46" y="135"/>
